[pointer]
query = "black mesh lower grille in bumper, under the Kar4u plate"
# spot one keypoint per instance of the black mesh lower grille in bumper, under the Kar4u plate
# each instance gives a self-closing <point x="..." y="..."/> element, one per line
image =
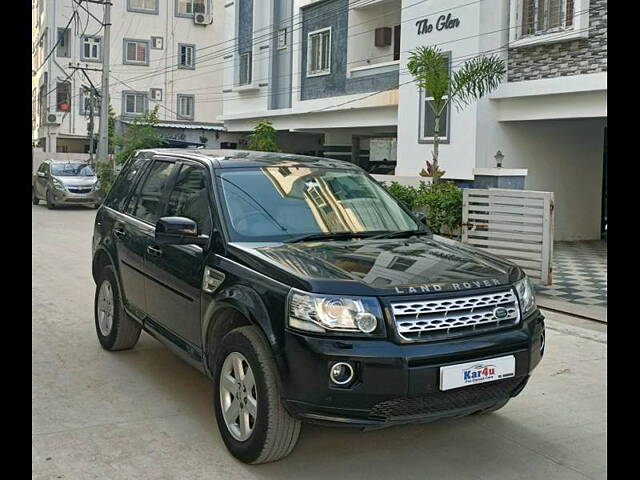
<point x="438" y="402"/>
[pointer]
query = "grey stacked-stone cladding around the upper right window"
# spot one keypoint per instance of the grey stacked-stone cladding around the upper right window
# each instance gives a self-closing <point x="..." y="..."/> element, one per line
<point x="562" y="59"/>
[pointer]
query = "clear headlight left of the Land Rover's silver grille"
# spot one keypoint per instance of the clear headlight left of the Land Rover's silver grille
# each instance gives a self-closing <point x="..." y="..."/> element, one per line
<point x="322" y="313"/>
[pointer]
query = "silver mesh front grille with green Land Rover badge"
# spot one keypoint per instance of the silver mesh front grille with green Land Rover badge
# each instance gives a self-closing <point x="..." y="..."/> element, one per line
<point x="426" y="320"/>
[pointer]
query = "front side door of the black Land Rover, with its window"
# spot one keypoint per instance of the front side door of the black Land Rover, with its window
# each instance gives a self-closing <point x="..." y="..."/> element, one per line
<point x="174" y="272"/>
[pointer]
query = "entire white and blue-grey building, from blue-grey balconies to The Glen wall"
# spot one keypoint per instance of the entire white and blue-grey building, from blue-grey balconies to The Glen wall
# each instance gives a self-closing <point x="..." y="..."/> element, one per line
<point x="331" y="76"/>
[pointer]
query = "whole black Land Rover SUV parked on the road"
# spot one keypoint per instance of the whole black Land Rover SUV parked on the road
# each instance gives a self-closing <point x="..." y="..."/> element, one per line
<point x="307" y="293"/>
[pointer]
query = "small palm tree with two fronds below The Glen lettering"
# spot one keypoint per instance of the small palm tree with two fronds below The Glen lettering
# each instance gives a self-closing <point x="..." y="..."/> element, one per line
<point x="473" y="80"/>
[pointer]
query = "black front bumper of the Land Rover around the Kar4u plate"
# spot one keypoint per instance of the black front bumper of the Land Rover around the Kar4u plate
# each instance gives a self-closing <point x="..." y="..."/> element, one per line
<point x="401" y="383"/>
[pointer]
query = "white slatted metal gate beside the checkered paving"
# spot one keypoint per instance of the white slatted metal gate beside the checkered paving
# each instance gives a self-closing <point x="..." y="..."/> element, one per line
<point x="514" y="224"/>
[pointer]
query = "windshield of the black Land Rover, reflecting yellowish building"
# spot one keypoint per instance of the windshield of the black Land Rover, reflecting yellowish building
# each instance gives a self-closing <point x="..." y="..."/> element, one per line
<point x="282" y="203"/>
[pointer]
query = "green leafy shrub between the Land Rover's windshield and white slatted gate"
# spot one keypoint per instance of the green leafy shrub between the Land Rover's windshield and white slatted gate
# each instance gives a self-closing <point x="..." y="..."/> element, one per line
<point x="441" y="202"/>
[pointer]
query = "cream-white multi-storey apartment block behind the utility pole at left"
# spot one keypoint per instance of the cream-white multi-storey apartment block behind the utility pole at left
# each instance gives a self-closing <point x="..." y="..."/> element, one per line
<point x="162" y="52"/>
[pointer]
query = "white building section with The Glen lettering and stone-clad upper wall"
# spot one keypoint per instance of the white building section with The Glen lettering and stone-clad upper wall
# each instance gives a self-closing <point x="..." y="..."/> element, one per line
<point x="548" y="117"/>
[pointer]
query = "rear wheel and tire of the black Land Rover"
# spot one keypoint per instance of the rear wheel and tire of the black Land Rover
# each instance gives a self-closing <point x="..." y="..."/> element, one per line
<point x="115" y="329"/>
